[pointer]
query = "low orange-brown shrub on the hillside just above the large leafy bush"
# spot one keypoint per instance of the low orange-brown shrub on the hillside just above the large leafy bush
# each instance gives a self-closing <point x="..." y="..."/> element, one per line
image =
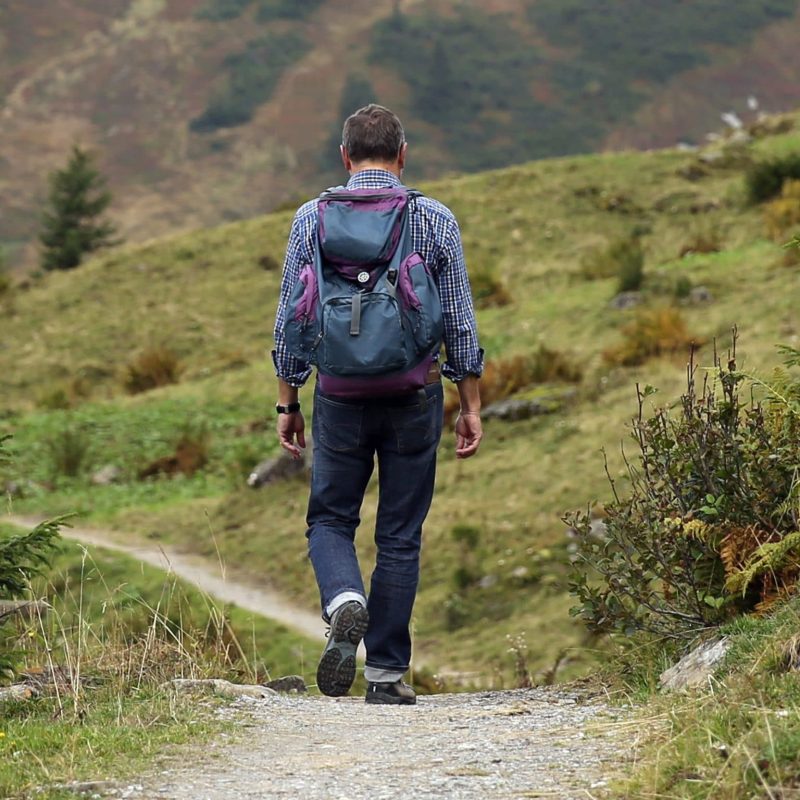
<point x="652" y="332"/>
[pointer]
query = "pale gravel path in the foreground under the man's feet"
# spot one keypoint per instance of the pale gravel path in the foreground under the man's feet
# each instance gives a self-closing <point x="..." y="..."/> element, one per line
<point x="515" y="744"/>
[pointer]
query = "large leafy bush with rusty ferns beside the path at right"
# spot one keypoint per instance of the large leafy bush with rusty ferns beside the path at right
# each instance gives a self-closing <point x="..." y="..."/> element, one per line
<point x="710" y="528"/>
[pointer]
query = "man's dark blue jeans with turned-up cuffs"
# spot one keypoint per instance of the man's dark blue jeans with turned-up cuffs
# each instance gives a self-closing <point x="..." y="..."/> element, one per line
<point x="404" y="434"/>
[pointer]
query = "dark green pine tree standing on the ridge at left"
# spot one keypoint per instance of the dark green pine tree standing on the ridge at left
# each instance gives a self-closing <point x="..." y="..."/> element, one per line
<point x="72" y="224"/>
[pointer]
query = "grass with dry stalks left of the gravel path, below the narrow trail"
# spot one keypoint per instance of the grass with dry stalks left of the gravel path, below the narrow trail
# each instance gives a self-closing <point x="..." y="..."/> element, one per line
<point x="128" y="629"/>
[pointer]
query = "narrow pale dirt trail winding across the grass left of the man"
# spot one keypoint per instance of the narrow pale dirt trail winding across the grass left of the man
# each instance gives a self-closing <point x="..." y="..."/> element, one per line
<point x="196" y="571"/>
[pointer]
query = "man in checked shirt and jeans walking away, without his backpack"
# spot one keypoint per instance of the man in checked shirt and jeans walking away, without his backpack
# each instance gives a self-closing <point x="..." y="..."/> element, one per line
<point x="401" y="430"/>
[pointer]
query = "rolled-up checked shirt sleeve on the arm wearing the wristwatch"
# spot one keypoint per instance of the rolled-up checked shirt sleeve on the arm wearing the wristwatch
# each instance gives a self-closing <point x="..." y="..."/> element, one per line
<point x="298" y="253"/>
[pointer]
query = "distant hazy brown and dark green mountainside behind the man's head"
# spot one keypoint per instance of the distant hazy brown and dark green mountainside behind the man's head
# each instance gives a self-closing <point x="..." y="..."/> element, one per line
<point x="206" y="111"/>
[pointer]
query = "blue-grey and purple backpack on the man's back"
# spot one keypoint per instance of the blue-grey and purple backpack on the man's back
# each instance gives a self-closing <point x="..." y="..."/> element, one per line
<point x="367" y="312"/>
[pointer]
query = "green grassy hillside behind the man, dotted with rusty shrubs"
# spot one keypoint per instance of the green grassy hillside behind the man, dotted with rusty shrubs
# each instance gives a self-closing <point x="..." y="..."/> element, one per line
<point x="536" y="239"/>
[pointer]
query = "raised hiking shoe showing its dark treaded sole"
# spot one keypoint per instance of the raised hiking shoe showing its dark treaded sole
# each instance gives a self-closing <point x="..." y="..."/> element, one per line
<point x="337" y="666"/>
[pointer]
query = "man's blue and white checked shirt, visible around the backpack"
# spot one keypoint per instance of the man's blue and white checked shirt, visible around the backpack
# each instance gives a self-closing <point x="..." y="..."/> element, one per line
<point x="435" y="235"/>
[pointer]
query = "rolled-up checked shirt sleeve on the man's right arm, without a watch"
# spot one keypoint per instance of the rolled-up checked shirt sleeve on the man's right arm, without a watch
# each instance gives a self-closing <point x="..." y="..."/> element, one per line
<point x="464" y="355"/>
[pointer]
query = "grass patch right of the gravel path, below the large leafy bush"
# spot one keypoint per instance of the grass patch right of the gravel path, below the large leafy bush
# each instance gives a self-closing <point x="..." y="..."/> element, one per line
<point x="737" y="739"/>
